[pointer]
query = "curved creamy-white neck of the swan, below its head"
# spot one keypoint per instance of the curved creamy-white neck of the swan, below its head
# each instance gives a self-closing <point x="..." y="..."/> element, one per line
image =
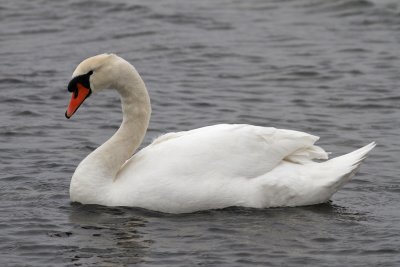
<point x="106" y="160"/>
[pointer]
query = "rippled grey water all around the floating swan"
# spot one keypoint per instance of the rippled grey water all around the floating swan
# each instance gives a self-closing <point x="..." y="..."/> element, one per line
<point x="330" y="68"/>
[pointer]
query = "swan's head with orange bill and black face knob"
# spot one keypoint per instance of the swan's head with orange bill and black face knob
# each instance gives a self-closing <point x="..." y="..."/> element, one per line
<point x="92" y="75"/>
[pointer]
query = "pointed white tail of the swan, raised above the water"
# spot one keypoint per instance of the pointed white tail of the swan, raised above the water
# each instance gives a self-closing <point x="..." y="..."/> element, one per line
<point x="344" y="167"/>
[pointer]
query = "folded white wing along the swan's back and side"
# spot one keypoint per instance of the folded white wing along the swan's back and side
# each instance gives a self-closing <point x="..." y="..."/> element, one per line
<point x="224" y="150"/>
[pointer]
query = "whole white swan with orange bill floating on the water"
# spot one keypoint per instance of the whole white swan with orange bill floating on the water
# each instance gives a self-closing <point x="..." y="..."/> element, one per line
<point x="207" y="168"/>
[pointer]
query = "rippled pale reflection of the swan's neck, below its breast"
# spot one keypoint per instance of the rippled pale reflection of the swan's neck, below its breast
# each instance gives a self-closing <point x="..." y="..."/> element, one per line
<point x="107" y="235"/>
